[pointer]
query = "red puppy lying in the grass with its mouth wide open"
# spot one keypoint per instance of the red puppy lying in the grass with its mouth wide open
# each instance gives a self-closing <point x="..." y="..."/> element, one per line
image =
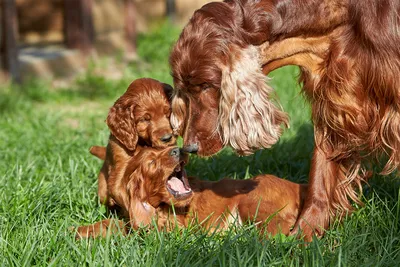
<point x="159" y="190"/>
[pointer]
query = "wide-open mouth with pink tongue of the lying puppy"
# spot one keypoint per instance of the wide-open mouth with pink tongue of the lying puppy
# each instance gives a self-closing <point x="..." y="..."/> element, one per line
<point x="178" y="184"/>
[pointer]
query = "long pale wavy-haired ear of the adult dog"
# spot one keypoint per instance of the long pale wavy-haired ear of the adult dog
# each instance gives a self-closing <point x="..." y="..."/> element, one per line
<point x="248" y="119"/>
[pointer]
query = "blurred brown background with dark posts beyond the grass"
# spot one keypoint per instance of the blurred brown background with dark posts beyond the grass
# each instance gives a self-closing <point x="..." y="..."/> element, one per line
<point x="55" y="38"/>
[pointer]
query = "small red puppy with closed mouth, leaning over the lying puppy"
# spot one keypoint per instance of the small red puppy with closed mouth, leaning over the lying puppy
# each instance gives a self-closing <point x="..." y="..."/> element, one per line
<point x="139" y="118"/>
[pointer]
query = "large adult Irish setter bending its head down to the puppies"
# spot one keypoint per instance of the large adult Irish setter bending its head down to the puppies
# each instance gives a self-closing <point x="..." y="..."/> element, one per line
<point x="349" y="55"/>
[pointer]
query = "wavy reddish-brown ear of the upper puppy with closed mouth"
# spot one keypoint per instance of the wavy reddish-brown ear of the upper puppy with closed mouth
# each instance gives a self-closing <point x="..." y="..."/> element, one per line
<point x="121" y="122"/>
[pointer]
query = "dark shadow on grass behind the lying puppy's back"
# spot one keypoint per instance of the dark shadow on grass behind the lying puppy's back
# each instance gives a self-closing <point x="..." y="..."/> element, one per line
<point x="289" y="158"/>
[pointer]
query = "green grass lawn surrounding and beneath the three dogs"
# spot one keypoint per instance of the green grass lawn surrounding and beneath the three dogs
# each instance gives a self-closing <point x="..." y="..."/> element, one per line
<point x="49" y="183"/>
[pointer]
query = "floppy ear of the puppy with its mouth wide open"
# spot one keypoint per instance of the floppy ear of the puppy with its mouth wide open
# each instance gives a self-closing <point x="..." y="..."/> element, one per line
<point x="140" y="211"/>
